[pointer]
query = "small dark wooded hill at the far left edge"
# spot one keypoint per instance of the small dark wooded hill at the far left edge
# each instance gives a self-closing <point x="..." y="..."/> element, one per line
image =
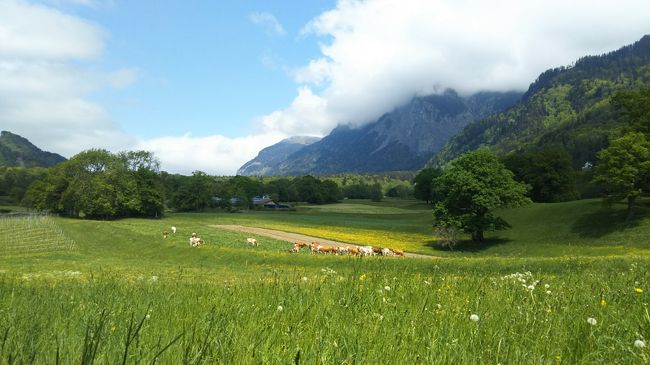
<point x="18" y="151"/>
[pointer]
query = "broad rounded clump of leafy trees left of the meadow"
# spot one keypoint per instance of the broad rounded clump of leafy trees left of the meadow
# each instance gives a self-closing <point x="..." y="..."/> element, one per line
<point x="98" y="184"/>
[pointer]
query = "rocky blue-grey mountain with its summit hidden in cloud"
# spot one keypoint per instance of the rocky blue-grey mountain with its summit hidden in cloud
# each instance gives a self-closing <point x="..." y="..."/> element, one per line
<point x="401" y="140"/>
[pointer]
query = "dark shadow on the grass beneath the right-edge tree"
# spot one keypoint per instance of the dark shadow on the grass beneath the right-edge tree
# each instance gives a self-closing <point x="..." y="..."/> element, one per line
<point x="606" y="220"/>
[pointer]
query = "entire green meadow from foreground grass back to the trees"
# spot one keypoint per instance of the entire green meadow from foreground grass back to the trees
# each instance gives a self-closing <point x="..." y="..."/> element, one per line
<point x="122" y="293"/>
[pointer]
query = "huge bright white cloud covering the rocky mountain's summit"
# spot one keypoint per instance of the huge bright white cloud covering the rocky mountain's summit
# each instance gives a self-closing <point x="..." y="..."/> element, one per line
<point x="378" y="54"/>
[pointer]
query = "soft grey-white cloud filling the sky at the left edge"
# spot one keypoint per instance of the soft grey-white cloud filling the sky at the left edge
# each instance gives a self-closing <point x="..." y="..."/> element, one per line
<point x="45" y="93"/>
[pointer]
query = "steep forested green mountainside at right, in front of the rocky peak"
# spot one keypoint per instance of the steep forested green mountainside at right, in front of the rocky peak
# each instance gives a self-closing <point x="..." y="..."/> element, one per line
<point x="566" y="107"/>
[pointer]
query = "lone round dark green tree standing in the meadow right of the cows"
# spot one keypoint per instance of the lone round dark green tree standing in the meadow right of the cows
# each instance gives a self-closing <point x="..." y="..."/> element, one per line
<point x="470" y="189"/>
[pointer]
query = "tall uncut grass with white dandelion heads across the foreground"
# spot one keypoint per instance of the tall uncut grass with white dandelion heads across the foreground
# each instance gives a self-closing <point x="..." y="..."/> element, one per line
<point x="386" y="315"/>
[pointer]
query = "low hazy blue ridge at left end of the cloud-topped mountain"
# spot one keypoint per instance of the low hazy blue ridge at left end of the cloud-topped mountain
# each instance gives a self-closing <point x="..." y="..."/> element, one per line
<point x="267" y="161"/>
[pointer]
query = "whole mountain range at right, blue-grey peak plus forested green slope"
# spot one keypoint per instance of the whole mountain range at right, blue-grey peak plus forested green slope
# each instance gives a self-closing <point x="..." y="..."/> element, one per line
<point x="566" y="107"/>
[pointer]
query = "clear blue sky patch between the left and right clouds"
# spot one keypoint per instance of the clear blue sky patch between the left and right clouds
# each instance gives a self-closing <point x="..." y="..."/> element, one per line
<point x="205" y="67"/>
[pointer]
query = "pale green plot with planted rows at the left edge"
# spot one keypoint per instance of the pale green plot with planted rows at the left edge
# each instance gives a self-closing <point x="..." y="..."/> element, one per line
<point x="31" y="234"/>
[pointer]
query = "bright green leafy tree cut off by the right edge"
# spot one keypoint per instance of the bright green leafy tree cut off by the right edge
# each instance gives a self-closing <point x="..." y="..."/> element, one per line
<point x="624" y="169"/>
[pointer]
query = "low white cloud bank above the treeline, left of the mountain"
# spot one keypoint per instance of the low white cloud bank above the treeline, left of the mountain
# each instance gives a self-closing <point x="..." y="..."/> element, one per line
<point x="215" y="155"/>
